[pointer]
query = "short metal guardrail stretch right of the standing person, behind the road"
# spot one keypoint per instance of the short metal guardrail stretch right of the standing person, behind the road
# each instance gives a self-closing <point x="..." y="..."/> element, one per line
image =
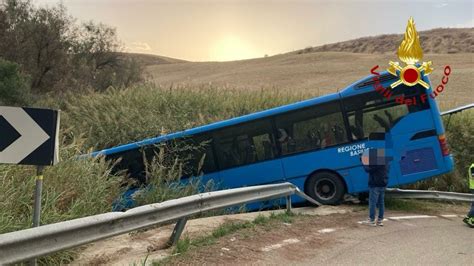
<point x="428" y="194"/>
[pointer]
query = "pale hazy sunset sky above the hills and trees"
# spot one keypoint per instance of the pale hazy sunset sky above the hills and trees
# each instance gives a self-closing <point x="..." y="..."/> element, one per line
<point x="224" y="30"/>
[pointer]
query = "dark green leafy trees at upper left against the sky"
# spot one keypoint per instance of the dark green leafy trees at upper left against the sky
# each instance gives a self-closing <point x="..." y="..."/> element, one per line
<point x="43" y="49"/>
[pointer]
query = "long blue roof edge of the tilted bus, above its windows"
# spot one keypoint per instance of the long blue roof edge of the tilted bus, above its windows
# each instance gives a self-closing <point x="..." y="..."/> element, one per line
<point x="350" y="90"/>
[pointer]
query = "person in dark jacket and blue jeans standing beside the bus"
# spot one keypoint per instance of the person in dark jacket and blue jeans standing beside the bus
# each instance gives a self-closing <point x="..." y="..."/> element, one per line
<point x="376" y="165"/>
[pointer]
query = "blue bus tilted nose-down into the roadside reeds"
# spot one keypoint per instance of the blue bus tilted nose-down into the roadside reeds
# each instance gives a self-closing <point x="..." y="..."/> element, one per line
<point x="314" y="144"/>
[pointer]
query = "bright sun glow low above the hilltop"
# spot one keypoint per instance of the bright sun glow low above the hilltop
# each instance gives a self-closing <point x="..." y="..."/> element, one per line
<point x="231" y="47"/>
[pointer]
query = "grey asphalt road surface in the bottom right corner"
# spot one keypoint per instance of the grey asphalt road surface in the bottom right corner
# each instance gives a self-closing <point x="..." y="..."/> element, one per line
<point x="414" y="241"/>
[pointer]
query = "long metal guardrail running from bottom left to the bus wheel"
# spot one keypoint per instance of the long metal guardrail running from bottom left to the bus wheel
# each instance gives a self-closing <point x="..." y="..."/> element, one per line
<point x="39" y="241"/>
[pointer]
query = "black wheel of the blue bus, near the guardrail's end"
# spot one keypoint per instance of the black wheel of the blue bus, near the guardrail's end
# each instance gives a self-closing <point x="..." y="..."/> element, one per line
<point x="326" y="188"/>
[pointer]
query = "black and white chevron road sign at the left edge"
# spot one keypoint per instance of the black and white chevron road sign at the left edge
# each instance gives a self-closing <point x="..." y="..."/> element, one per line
<point x="28" y="136"/>
